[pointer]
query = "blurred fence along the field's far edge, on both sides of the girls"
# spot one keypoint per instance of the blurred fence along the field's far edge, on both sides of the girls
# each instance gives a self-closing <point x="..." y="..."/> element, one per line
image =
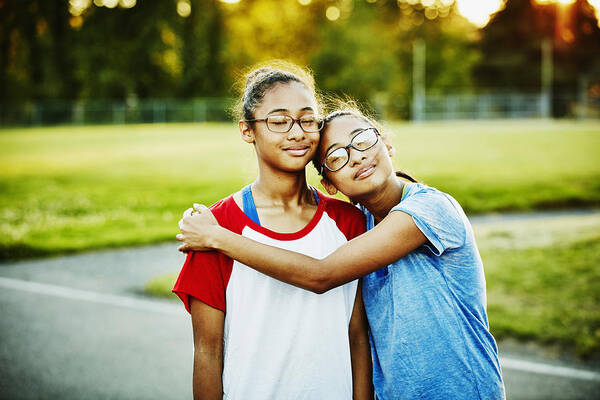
<point x="432" y="107"/>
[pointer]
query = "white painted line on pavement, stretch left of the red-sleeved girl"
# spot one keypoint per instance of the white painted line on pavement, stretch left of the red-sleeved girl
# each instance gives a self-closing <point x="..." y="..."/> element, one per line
<point x="93" y="297"/>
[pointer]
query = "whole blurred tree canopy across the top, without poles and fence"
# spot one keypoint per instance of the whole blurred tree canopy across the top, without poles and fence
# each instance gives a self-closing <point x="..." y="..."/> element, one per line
<point x="122" y="49"/>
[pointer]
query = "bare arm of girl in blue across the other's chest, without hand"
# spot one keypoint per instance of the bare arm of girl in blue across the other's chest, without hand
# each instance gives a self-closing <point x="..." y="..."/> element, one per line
<point x="394" y="237"/>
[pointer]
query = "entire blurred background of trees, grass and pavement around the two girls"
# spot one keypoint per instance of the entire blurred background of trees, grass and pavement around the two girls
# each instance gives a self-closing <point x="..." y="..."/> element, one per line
<point x="114" y="118"/>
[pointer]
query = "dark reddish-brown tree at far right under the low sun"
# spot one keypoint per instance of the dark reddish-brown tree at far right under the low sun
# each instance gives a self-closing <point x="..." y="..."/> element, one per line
<point x="511" y="47"/>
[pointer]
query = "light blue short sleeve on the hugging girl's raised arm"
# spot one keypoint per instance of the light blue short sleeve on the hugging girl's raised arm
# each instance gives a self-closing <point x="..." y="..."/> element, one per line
<point x="437" y="216"/>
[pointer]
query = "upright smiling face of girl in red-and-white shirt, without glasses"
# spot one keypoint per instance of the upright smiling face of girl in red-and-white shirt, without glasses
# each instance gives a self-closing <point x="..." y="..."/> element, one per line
<point x="288" y="151"/>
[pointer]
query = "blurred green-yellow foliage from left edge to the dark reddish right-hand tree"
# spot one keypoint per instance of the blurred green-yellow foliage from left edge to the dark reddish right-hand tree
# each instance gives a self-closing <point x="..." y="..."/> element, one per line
<point x="149" y="51"/>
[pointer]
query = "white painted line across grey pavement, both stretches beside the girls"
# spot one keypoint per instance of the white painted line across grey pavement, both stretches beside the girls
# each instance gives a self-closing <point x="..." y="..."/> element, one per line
<point x="155" y="306"/>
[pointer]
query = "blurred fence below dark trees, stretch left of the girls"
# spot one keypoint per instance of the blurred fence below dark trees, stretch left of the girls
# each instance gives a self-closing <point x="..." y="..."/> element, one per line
<point x="116" y="112"/>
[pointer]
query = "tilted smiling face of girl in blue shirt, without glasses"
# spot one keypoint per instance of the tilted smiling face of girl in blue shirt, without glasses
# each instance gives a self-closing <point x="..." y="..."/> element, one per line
<point x="366" y="171"/>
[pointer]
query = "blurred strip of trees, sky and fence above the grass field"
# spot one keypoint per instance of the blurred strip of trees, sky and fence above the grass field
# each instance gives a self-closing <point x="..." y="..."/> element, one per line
<point x="126" y="61"/>
